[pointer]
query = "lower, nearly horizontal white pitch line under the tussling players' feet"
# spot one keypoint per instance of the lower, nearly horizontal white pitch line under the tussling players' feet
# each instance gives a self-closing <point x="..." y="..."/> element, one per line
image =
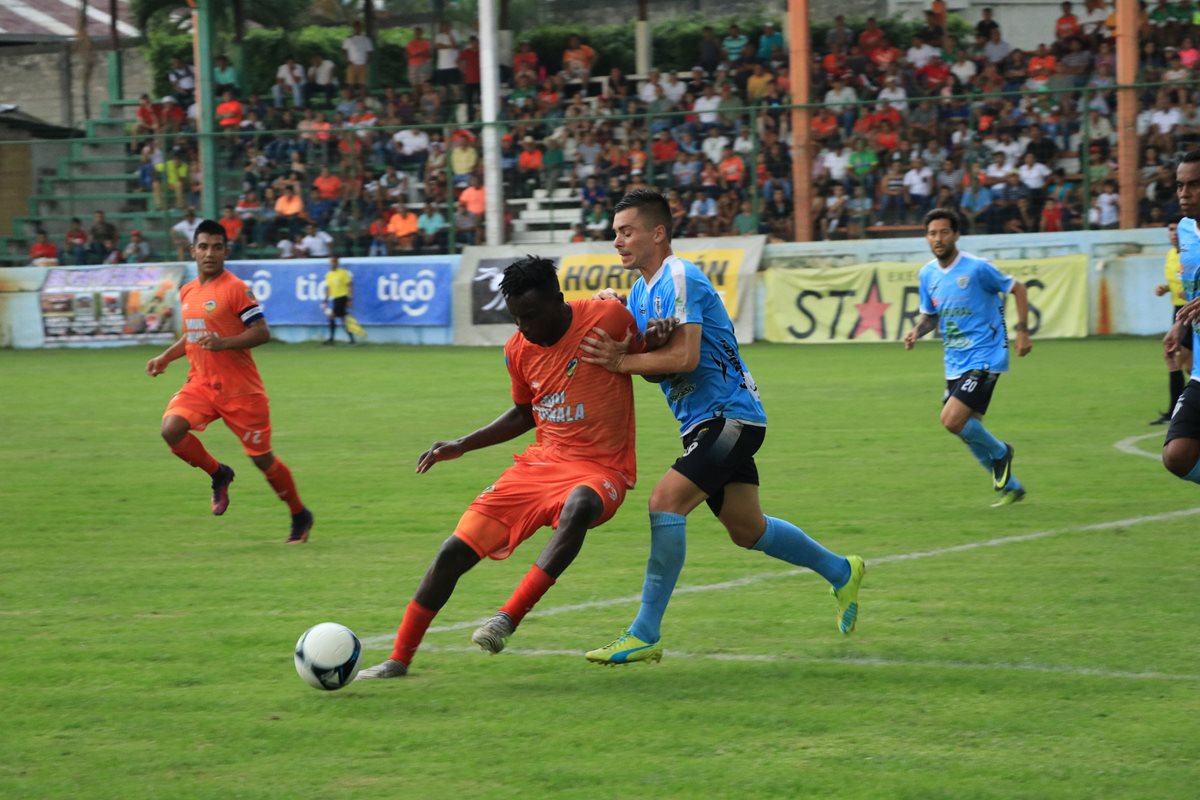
<point x="861" y="661"/>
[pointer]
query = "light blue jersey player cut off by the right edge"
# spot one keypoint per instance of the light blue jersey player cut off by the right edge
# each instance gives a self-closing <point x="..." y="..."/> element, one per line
<point x="1181" y="450"/>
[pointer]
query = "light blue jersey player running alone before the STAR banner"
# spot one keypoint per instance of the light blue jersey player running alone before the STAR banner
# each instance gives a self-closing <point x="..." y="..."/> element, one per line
<point x="963" y="296"/>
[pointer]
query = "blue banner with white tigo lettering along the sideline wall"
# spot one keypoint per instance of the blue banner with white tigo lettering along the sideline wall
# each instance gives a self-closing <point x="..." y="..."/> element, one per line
<point x="407" y="291"/>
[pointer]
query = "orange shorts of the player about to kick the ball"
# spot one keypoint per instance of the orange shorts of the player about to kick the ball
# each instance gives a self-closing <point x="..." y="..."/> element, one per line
<point x="529" y="497"/>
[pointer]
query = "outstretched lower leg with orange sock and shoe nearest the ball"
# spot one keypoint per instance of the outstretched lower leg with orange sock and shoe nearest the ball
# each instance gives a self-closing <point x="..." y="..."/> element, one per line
<point x="453" y="562"/>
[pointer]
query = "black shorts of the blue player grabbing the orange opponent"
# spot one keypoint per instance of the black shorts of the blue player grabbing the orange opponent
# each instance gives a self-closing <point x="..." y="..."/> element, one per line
<point x="718" y="453"/>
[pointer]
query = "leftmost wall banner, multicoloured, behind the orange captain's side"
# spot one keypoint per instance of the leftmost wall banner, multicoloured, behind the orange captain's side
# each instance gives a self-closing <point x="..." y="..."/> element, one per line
<point x="111" y="304"/>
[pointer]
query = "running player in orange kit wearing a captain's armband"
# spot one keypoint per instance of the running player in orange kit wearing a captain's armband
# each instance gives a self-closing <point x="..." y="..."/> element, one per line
<point x="223" y="322"/>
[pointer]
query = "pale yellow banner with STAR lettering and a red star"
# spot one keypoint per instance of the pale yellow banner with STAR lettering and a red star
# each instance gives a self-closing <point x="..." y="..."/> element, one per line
<point x="880" y="302"/>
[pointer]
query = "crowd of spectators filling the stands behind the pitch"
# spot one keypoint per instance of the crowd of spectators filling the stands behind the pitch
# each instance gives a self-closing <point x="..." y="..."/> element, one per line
<point x="902" y="127"/>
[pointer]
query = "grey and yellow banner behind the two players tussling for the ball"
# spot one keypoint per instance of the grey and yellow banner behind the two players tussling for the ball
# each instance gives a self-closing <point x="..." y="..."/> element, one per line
<point x="587" y="268"/>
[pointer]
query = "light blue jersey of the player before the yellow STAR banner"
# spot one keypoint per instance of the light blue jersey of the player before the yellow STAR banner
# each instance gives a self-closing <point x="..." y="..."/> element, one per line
<point x="968" y="299"/>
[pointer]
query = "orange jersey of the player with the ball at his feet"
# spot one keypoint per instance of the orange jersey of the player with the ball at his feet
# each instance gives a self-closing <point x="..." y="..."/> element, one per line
<point x="584" y="413"/>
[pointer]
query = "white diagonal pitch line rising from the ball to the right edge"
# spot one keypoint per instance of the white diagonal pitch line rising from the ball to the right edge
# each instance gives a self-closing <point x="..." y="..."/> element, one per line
<point x="385" y="641"/>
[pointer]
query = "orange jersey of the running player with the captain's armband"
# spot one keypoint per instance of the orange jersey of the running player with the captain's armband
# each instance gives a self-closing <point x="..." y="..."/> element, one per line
<point x="224" y="306"/>
